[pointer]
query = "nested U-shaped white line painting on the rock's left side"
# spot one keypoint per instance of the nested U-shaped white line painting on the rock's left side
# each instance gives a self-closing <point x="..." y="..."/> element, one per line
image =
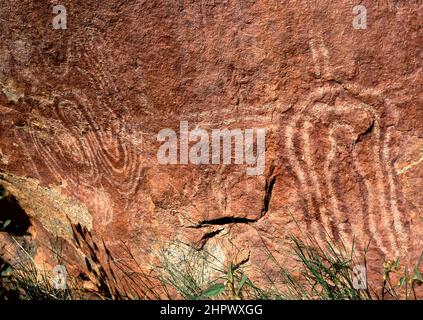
<point x="82" y="136"/>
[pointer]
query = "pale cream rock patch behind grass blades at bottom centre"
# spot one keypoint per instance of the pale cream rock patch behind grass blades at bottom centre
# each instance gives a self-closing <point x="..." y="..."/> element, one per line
<point x="193" y="274"/>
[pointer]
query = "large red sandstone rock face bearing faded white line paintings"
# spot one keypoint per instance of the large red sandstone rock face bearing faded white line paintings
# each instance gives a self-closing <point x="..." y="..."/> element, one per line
<point x="81" y="109"/>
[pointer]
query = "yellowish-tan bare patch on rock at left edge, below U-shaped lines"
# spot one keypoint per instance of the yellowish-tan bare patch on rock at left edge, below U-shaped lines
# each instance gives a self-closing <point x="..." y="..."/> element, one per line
<point x="49" y="205"/>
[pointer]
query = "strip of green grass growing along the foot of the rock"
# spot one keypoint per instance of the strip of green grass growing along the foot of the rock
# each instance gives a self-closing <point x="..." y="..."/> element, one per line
<point x="323" y="271"/>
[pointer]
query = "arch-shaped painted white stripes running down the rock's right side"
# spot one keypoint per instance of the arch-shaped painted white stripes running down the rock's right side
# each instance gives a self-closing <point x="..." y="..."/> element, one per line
<point x="380" y="218"/>
